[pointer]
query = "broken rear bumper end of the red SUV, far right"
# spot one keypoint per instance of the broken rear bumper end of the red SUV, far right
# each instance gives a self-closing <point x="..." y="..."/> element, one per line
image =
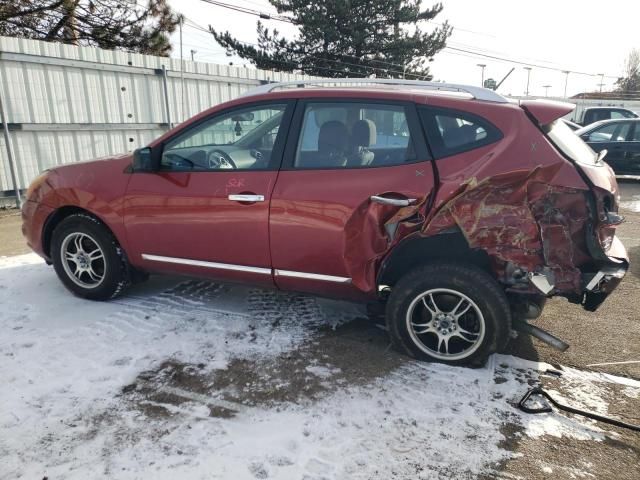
<point x="600" y="285"/>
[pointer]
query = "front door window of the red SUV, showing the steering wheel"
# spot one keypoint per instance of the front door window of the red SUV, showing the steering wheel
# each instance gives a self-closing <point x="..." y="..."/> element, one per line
<point x="242" y="139"/>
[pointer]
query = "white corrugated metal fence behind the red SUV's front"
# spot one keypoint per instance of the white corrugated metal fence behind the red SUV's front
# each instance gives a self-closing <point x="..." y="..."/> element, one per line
<point x="67" y="104"/>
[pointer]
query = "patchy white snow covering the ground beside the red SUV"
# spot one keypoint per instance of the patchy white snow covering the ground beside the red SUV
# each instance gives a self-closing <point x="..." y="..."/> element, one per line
<point x="187" y="379"/>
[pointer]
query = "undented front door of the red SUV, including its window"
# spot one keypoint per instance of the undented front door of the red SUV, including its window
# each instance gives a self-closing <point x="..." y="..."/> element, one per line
<point x="206" y="210"/>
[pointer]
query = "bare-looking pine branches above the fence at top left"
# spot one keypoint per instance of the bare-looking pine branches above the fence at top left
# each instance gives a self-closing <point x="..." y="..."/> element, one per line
<point x="110" y="24"/>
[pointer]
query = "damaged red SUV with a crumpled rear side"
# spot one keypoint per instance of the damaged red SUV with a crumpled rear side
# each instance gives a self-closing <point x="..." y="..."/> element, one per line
<point x="461" y="210"/>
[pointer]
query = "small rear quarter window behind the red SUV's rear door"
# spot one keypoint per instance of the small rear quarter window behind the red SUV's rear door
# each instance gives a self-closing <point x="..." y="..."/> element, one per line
<point x="450" y="132"/>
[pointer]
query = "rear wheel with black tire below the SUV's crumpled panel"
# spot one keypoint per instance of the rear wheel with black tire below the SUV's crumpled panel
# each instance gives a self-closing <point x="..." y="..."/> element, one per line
<point x="448" y="282"/>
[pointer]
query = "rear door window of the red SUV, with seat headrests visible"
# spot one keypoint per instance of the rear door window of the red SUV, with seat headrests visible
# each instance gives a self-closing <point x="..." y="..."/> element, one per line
<point x="354" y="135"/>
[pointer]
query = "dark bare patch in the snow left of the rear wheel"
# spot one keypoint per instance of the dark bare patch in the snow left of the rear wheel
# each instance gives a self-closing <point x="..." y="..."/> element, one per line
<point x="355" y="353"/>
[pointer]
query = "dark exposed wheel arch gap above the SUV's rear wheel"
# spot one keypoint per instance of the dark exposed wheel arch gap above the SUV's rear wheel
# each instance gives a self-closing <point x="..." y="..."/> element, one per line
<point x="417" y="250"/>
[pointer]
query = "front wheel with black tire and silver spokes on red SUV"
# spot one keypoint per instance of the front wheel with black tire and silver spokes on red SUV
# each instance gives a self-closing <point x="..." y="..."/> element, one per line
<point x="111" y="268"/>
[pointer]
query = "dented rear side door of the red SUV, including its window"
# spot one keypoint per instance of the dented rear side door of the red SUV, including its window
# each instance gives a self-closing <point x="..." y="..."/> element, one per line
<point x="349" y="166"/>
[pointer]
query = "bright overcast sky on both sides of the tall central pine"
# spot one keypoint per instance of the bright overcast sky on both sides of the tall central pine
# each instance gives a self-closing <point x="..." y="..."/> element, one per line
<point x="589" y="36"/>
